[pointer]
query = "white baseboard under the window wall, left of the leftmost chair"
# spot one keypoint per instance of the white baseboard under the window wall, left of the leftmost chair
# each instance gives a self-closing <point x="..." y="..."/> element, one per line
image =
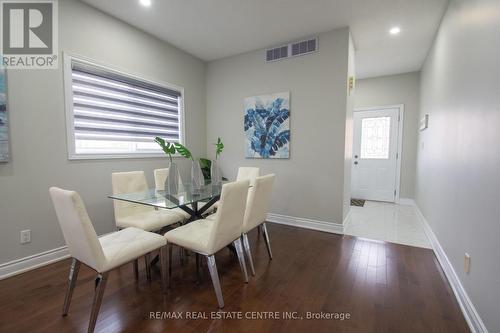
<point x="25" y="264"/>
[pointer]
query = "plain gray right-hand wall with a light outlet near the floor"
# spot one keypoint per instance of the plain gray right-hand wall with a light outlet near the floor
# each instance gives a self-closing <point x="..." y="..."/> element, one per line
<point x="458" y="182"/>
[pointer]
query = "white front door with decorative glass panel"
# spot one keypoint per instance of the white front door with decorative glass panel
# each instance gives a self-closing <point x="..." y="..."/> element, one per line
<point x="375" y="149"/>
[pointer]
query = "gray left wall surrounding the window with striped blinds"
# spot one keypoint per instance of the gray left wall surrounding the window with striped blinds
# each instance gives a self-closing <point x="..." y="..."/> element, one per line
<point x="38" y="131"/>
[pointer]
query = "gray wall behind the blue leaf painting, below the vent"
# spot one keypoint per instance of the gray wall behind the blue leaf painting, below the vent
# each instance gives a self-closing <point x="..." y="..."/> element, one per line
<point x="310" y="183"/>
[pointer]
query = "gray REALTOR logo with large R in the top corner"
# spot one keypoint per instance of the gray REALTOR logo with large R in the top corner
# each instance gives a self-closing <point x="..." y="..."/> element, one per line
<point x="29" y="34"/>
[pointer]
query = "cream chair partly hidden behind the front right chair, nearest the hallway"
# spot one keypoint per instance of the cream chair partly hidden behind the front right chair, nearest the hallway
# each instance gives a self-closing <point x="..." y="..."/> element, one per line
<point x="258" y="202"/>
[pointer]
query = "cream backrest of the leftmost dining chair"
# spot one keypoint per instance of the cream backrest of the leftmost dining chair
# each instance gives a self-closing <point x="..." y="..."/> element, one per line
<point x="77" y="228"/>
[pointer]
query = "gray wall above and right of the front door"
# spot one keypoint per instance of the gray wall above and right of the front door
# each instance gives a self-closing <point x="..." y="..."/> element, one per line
<point x="390" y="90"/>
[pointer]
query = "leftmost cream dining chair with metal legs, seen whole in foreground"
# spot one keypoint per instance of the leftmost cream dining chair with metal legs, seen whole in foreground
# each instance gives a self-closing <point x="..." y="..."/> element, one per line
<point x="101" y="254"/>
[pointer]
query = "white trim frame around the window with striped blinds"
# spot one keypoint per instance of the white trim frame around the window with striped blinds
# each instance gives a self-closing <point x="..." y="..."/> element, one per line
<point x="68" y="104"/>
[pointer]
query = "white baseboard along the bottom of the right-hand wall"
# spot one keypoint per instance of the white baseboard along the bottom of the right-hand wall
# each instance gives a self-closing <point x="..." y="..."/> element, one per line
<point x="475" y="323"/>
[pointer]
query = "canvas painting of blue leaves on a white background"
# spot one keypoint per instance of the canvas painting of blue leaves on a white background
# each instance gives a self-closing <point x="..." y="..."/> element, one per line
<point x="267" y="126"/>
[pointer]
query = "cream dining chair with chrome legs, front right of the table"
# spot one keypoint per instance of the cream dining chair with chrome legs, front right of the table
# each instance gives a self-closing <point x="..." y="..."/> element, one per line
<point x="207" y="236"/>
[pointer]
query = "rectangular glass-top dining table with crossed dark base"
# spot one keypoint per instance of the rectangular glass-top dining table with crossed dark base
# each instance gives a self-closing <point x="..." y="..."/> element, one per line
<point x="188" y="198"/>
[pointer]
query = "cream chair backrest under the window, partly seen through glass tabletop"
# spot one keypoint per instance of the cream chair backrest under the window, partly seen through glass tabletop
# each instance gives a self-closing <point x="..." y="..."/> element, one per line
<point x="128" y="182"/>
